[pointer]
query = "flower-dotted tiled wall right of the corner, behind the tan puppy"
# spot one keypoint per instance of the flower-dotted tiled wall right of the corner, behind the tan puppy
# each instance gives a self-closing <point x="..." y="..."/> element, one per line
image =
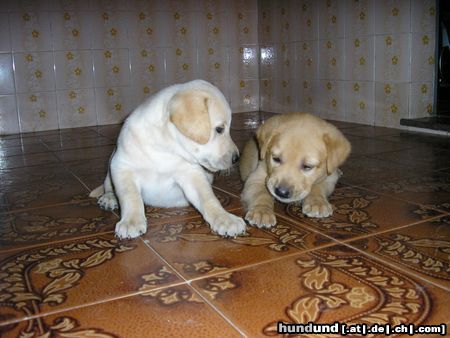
<point x="366" y="61"/>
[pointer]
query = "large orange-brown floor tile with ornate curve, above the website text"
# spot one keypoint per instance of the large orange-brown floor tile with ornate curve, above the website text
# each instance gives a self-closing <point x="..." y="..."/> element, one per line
<point x="330" y="285"/>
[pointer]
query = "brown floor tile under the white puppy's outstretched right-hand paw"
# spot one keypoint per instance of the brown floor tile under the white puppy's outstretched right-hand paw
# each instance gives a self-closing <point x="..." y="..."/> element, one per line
<point x="194" y="251"/>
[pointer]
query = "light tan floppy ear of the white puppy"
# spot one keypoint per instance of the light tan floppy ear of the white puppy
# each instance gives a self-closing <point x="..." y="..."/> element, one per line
<point x="189" y="112"/>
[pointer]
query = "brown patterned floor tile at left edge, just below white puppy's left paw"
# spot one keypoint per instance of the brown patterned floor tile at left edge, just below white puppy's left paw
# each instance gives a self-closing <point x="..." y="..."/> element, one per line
<point x="69" y="274"/>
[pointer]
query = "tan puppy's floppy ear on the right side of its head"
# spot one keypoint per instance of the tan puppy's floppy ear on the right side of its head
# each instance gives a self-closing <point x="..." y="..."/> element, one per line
<point x="338" y="148"/>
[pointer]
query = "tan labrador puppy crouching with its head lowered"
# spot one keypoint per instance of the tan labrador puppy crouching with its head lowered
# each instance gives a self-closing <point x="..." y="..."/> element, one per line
<point x="295" y="157"/>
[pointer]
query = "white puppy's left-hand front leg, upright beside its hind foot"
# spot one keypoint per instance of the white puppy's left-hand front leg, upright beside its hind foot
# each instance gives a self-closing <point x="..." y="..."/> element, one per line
<point x="132" y="222"/>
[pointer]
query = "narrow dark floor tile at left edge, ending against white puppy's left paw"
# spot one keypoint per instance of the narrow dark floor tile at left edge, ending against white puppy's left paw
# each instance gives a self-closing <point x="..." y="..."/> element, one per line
<point x="37" y="226"/>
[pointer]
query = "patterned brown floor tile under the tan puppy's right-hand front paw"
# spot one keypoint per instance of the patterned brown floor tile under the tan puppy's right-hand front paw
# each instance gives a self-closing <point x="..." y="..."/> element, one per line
<point x="358" y="212"/>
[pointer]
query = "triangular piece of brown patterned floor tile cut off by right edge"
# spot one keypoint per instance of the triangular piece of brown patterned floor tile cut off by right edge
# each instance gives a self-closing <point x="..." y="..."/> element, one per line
<point x="422" y="249"/>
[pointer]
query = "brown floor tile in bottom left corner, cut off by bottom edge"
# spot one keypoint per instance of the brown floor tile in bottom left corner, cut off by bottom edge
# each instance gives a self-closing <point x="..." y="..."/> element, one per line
<point x="175" y="312"/>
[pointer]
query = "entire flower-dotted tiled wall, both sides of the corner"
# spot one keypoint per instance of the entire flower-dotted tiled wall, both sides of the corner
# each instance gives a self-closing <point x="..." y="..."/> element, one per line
<point x="72" y="63"/>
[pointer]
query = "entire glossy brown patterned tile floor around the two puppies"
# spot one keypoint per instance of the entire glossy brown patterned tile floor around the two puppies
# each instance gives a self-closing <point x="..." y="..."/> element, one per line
<point x="383" y="257"/>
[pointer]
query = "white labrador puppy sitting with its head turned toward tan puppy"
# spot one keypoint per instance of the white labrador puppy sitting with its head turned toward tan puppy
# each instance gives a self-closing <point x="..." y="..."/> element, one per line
<point x="166" y="153"/>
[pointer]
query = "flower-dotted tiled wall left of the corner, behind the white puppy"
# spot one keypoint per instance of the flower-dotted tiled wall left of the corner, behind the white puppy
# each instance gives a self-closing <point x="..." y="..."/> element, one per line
<point x="72" y="63"/>
